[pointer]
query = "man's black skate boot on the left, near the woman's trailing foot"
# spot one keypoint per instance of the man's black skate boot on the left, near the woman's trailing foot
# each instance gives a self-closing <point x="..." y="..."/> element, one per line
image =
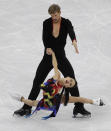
<point x="22" y="112"/>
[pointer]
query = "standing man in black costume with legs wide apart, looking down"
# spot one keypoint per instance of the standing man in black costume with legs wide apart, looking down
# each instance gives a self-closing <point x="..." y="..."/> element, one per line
<point x="55" y="31"/>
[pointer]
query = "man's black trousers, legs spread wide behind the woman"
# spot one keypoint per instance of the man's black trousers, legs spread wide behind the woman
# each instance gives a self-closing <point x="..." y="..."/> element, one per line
<point x="44" y="68"/>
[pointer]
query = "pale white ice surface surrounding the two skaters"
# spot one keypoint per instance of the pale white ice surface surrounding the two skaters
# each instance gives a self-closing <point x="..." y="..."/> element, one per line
<point x="21" y="50"/>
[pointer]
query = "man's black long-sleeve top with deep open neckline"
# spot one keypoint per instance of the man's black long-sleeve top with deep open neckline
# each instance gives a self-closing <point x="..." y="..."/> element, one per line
<point x="57" y="44"/>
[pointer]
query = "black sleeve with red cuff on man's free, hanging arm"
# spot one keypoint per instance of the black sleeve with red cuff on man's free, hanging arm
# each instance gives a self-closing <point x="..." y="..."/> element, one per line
<point x="71" y="30"/>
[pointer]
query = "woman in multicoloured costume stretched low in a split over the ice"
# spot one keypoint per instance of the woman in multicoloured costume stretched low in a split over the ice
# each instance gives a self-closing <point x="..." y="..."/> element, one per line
<point x="52" y="98"/>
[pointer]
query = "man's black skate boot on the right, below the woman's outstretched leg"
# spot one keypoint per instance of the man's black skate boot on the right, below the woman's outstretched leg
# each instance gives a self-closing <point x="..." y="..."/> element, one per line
<point x="79" y="108"/>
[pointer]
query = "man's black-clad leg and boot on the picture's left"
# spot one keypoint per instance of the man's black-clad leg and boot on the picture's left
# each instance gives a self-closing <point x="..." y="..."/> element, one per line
<point x="43" y="69"/>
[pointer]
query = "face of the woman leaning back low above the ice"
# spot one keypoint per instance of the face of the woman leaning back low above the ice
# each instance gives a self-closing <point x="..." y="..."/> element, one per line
<point x="69" y="82"/>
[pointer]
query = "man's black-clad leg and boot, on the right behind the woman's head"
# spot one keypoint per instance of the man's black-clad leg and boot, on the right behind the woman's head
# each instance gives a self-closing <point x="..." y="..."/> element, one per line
<point x="67" y="70"/>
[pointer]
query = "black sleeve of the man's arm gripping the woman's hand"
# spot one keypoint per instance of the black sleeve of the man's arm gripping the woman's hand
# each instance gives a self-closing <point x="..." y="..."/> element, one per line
<point x="45" y="35"/>
